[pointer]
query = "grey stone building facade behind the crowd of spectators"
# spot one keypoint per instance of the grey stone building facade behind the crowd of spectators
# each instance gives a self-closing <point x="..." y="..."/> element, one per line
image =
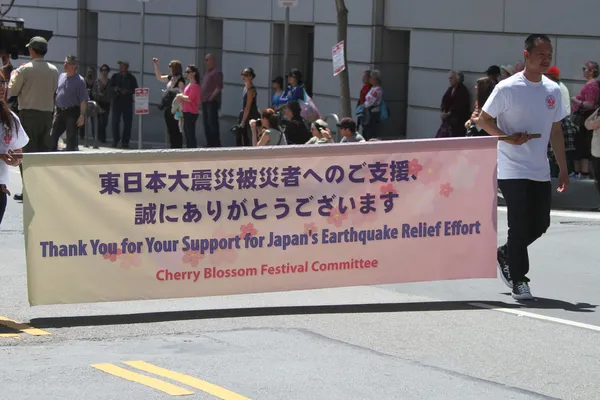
<point x="414" y="44"/>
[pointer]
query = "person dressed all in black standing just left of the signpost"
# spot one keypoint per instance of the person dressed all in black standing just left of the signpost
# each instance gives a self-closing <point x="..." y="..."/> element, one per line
<point x="123" y="84"/>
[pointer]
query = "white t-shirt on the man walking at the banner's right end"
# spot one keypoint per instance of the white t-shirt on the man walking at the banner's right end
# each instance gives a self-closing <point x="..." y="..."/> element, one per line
<point x="523" y="106"/>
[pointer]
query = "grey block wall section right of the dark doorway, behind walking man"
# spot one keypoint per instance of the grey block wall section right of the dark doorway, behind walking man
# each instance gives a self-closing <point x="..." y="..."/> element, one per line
<point x="457" y="37"/>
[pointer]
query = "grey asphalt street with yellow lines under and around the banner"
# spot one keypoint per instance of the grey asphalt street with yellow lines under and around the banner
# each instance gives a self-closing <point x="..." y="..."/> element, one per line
<point x="438" y="340"/>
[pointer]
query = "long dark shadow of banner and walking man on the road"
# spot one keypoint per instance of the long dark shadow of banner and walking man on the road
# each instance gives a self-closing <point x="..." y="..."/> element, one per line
<point x="167" y="316"/>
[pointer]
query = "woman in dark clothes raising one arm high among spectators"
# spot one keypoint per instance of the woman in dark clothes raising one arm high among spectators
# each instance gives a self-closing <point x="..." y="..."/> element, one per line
<point x="175" y="85"/>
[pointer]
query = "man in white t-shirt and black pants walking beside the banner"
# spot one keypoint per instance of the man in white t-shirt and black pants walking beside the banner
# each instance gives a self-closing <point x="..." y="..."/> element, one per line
<point x="526" y="104"/>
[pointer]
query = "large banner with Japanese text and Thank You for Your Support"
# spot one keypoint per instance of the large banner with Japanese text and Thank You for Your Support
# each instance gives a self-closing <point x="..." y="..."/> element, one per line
<point x="171" y="224"/>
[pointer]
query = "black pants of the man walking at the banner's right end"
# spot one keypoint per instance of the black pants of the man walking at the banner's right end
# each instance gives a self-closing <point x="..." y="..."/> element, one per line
<point x="528" y="203"/>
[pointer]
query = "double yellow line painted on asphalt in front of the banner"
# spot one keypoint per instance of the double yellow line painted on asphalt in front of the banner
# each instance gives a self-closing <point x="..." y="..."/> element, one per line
<point x="164" y="386"/>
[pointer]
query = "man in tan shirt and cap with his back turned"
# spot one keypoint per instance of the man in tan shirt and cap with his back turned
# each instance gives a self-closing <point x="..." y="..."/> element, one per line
<point x="35" y="83"/>
